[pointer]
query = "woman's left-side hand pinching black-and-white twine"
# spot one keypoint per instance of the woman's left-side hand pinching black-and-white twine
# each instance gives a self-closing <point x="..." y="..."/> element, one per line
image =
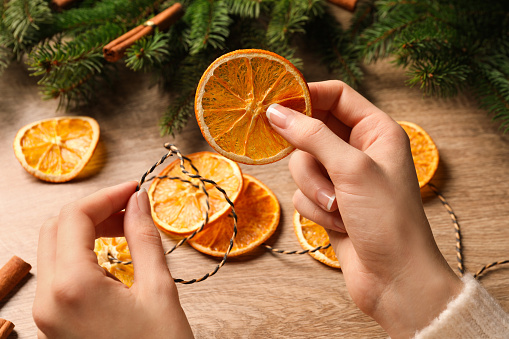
<point x="76" y="298"/>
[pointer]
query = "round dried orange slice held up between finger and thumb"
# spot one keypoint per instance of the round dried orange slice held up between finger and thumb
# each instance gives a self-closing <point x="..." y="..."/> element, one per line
<point x="232" y="97"/>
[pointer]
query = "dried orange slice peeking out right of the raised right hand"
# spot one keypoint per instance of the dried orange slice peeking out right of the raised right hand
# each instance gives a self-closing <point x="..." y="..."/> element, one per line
<point x="424" y="152"/>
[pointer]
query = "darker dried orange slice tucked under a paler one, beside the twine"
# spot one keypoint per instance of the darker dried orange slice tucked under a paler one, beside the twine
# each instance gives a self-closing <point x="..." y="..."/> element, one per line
<point x="258" y="213"/>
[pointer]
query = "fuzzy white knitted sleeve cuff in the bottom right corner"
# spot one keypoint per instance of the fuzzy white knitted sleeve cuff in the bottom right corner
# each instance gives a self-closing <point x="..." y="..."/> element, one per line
<point x="472" y="314"/>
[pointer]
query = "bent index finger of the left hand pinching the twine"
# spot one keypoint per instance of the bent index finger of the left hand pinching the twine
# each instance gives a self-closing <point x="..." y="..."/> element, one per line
<point x="78" y="220"/>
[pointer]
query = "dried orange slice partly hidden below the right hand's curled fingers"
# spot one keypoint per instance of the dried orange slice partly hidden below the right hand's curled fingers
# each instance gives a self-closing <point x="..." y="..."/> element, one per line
<point x="312" y="235"/>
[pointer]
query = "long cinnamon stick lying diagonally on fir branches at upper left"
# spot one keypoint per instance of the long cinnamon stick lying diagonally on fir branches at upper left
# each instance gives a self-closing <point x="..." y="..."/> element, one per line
<point x="115" y="50"/>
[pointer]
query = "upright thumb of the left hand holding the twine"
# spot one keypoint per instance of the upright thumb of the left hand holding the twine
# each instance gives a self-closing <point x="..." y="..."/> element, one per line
<point x="144" y="242"/>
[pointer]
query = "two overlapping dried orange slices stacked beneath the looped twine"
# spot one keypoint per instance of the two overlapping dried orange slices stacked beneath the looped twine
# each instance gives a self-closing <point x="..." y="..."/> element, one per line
<point x="179" y="207"/>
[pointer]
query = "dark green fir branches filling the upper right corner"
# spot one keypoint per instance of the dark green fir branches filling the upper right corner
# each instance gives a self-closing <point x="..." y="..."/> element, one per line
<point x="447" y="47"/>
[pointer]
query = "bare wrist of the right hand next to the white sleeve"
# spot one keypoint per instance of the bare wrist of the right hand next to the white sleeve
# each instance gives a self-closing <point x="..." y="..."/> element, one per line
<point x="411" y="303"/>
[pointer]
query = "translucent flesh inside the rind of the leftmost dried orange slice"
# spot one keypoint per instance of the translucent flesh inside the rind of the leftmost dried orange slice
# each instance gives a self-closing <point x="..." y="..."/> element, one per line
<point x="57" y="146"/>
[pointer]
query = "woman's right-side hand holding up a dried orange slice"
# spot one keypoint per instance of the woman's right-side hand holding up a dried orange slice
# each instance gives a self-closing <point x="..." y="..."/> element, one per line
<point x="356" y="177"/>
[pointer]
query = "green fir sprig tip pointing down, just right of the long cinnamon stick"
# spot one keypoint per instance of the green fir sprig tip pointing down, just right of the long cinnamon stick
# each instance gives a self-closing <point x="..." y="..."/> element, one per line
<point x="208" y="25"/>
